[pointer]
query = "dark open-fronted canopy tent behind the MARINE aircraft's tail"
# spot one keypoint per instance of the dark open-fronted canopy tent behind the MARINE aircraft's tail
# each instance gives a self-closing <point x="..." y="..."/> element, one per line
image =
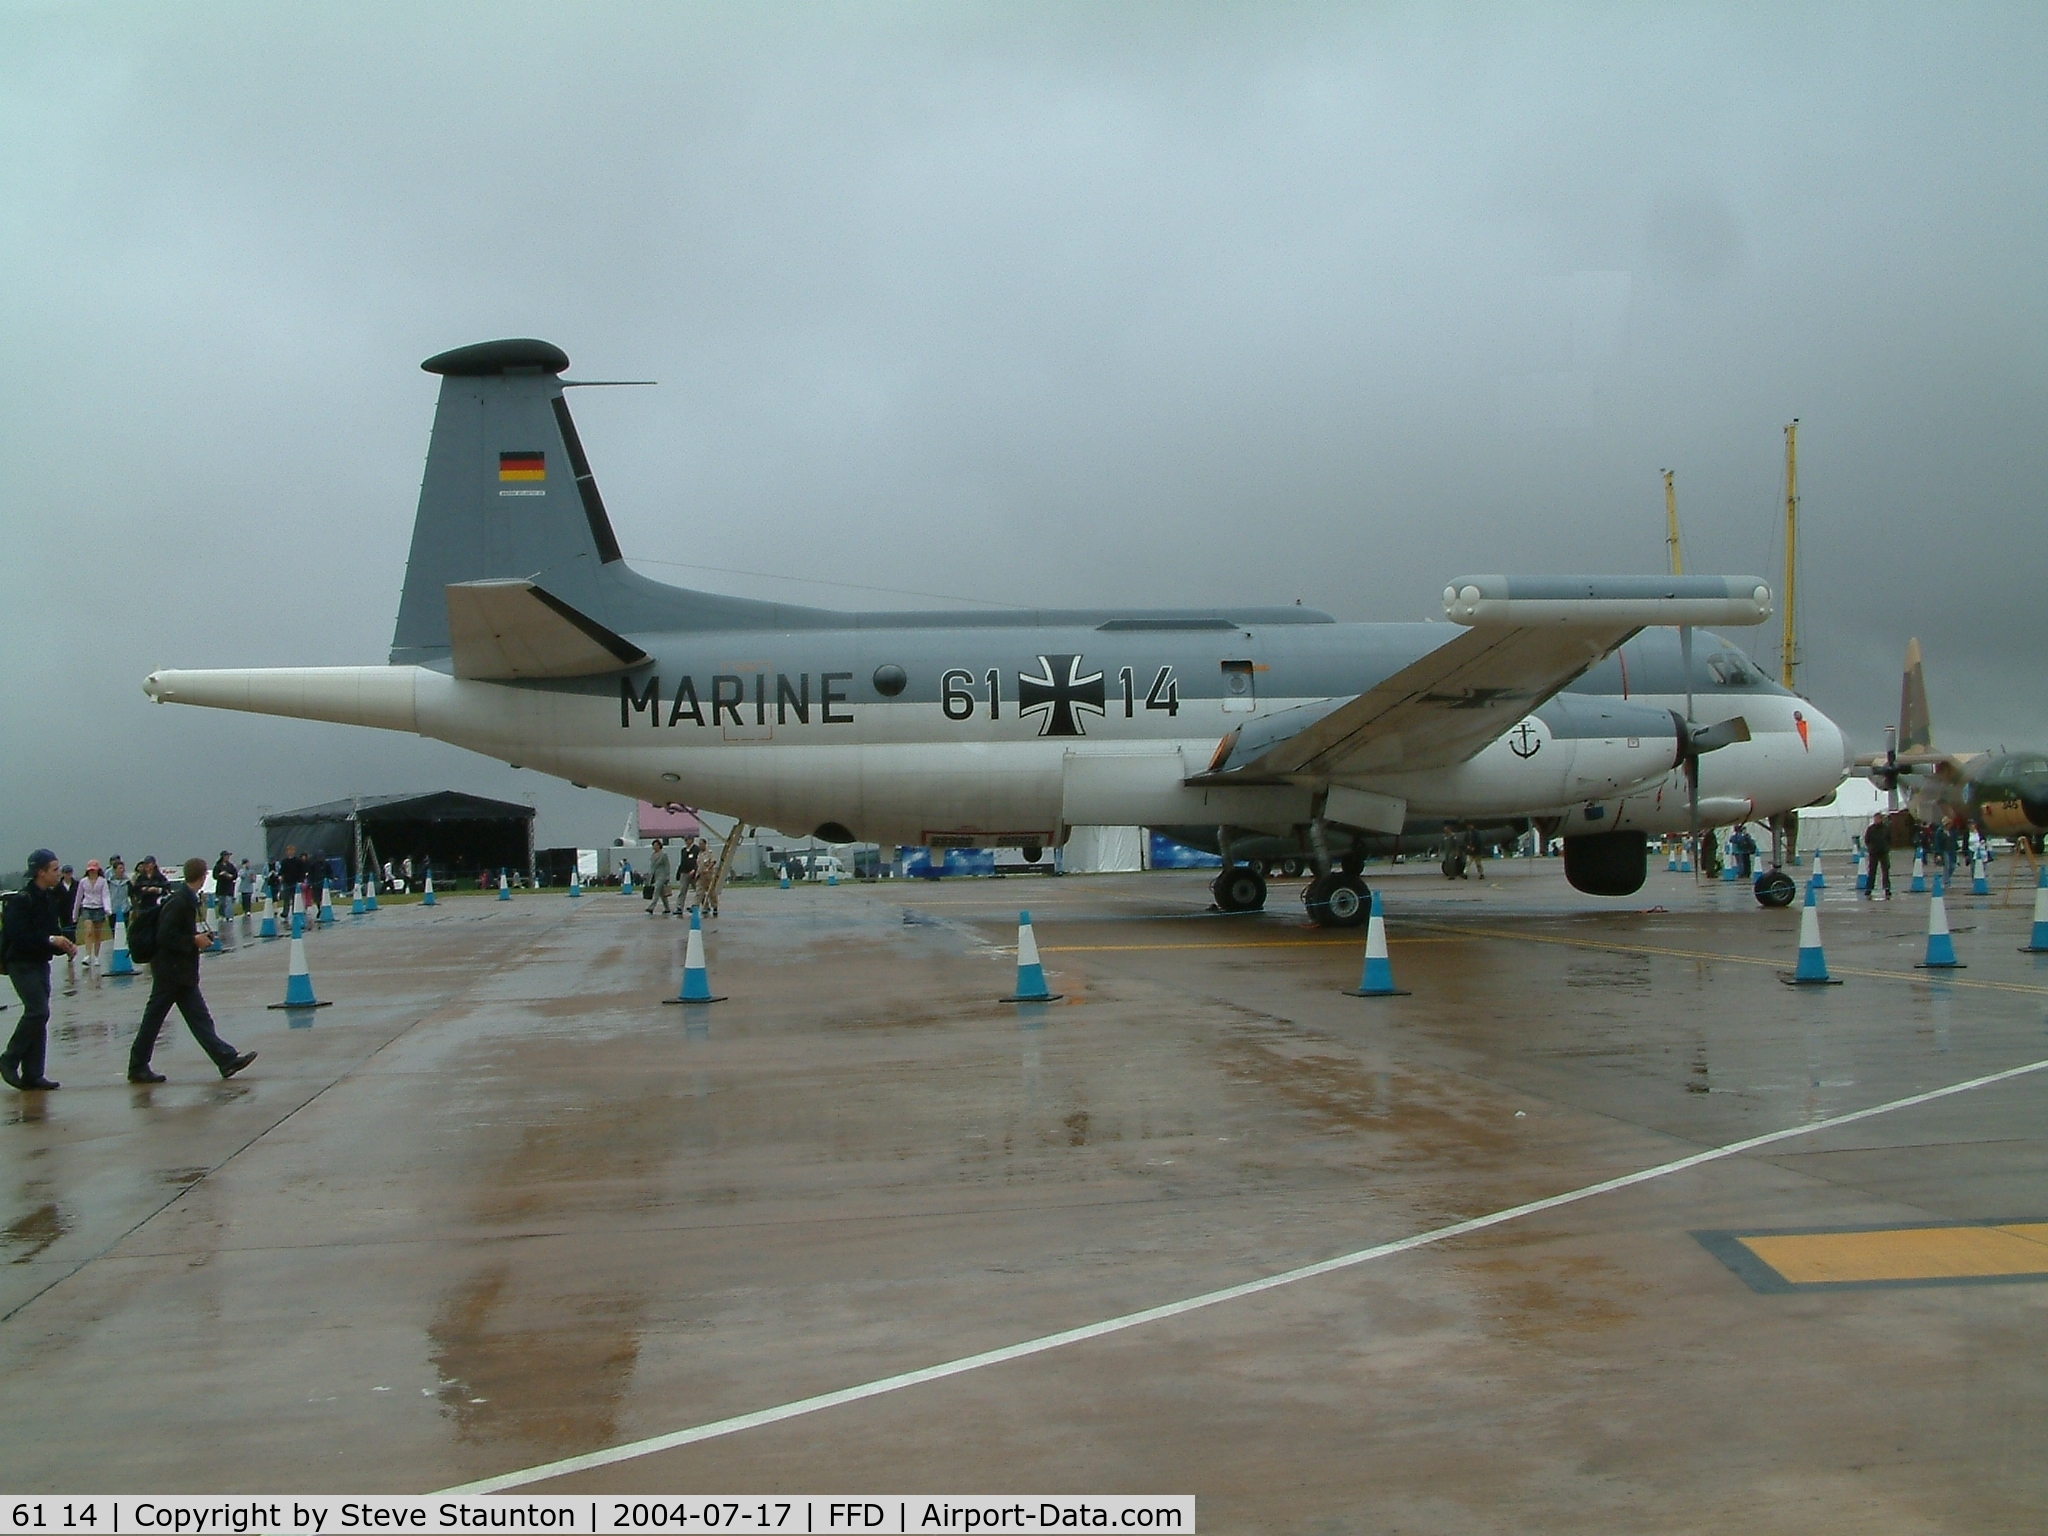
<point x="462" y="835"/>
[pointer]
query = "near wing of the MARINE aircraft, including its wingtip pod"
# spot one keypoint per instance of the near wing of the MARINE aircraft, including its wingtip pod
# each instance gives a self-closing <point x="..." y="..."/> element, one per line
<point x="1527" y="638"/>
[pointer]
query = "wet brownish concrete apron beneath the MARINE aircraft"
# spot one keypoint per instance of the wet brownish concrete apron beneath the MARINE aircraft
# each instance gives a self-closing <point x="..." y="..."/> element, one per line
<point x="499" y="1205"/>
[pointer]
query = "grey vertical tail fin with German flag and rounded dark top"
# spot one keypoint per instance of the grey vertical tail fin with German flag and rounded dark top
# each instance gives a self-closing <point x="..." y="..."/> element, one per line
<point x="507" y="493"/>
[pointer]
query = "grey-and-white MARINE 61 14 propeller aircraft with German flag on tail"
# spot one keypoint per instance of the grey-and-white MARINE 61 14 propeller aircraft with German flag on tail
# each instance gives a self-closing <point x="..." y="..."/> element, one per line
<point x="525" y="636"/>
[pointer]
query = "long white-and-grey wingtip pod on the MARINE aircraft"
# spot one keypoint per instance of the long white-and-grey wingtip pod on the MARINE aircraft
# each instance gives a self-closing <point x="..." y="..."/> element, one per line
<point x="1723" y="601"/>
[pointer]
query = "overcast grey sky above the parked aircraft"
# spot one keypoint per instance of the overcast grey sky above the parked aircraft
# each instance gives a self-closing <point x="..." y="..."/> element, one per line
<point x="1041" y="304"/>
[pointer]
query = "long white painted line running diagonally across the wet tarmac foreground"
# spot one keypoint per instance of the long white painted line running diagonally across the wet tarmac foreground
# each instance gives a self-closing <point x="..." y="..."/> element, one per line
<point x="1207" y="1299"/>
